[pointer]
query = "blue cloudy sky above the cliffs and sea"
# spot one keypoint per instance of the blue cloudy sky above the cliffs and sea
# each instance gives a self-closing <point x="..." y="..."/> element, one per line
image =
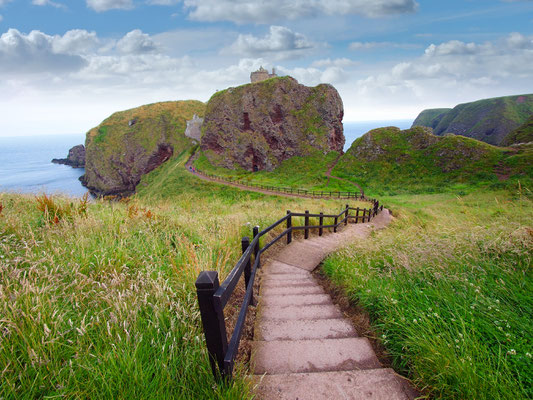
<point x="67" y="65"/>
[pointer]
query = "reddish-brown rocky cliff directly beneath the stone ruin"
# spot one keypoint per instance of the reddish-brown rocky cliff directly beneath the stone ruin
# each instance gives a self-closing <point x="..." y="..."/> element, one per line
<point x="257" y="126"/>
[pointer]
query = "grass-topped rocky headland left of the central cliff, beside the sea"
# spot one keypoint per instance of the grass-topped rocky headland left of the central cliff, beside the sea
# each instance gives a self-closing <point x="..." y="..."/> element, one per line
<point x="132" y="143"/>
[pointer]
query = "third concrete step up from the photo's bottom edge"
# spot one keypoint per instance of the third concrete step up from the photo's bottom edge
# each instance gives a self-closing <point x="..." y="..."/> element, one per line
<point x="305" y="329"/>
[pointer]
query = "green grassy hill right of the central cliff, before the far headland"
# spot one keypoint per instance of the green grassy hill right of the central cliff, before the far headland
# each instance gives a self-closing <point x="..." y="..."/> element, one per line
<point x="387" y="160"/>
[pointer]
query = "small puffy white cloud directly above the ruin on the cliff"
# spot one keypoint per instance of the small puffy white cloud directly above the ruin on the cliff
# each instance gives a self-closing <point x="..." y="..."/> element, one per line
<point x="279" y="44"/>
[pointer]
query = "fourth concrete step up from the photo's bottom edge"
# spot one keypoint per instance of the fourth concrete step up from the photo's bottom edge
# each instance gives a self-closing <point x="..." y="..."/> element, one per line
<point x="318" y="311"/>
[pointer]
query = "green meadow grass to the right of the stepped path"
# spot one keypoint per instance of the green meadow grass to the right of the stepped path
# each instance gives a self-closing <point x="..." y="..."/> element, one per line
<point x="448" y="289"/>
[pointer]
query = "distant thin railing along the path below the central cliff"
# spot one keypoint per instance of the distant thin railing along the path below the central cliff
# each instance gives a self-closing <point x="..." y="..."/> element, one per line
<point x="288" y="190"/>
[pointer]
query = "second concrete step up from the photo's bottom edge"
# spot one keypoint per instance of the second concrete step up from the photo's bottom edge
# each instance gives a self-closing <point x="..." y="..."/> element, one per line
<point x="289" y="356"/>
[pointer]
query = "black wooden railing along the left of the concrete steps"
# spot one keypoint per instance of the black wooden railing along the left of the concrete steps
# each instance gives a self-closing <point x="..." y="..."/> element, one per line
<point x="213" y="296"/>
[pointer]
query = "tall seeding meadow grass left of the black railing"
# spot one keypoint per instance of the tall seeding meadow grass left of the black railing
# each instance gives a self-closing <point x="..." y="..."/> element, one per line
<point x="98" y="301"/>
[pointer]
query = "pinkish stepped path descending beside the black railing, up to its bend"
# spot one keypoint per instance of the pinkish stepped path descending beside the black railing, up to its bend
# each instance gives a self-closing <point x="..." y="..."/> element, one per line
<point x="304" y="348"/>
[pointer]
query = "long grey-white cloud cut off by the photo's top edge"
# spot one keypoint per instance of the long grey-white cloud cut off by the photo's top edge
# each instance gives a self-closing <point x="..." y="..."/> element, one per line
<point x="246" y="11"/>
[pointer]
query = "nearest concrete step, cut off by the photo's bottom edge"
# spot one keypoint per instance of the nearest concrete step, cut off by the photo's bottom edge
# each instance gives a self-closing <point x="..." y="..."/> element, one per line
<point x="373" y="384"/>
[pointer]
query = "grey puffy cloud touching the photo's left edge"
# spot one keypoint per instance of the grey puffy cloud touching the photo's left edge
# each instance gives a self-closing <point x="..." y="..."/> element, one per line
<point x="34" y="53"/>
